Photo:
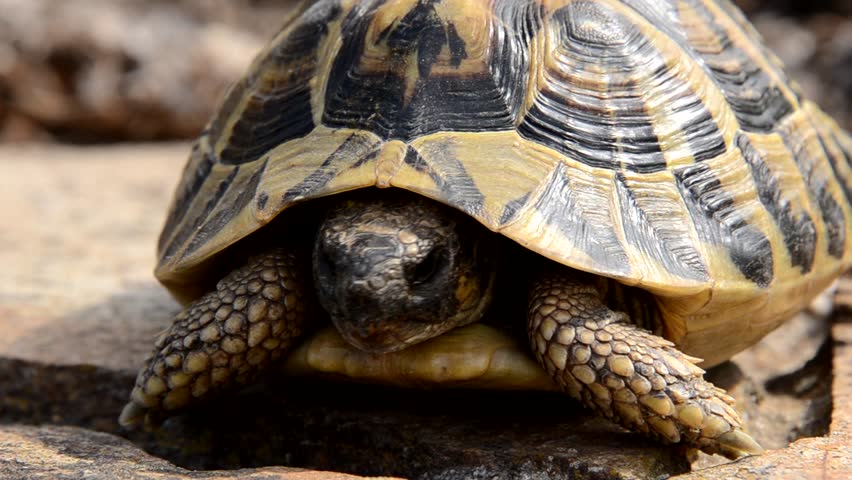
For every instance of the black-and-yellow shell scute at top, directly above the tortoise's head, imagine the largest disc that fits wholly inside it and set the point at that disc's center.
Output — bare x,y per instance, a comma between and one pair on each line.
404,73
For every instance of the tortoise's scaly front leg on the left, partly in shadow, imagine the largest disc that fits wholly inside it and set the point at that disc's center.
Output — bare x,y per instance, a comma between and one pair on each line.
224,339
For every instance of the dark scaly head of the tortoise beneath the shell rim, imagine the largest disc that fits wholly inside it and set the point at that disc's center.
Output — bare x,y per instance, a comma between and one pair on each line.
394,270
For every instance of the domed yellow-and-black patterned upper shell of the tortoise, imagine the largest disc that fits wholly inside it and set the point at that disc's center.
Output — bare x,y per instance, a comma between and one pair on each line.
655,142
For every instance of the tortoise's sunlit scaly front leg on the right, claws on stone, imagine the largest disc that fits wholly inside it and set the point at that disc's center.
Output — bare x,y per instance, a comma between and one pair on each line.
629,375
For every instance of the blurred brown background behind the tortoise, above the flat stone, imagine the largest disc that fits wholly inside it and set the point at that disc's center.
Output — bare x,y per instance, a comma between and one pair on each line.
102,71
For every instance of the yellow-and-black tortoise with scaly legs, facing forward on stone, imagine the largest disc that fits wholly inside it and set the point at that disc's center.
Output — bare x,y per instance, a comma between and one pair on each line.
640,177
